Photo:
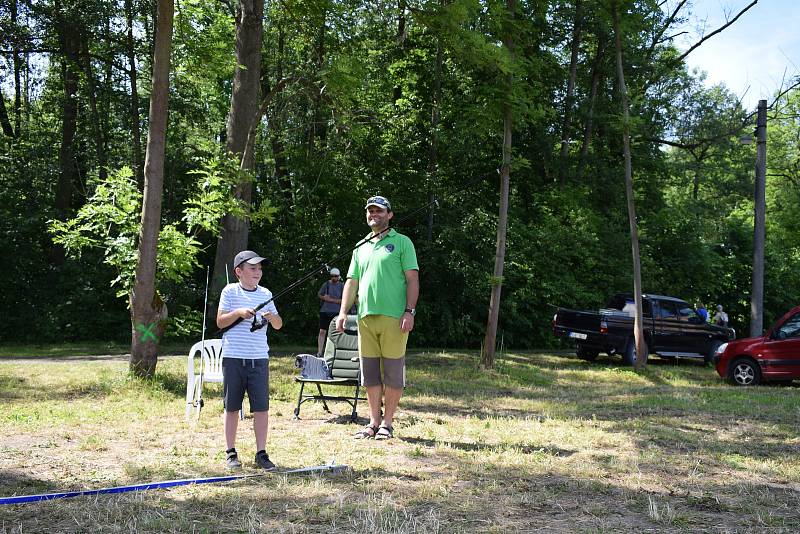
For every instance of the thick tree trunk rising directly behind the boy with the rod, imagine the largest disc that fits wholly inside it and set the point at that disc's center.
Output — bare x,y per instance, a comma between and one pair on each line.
244,107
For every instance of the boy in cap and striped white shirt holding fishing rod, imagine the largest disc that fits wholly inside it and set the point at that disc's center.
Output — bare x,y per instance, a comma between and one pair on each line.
245,354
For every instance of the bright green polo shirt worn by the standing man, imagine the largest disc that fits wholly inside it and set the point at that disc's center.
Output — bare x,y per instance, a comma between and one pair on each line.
380,270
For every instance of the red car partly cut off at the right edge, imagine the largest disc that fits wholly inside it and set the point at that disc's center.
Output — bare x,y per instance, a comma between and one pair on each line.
773,356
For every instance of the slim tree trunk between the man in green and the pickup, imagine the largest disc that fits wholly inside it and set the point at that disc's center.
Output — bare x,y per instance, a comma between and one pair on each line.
488,352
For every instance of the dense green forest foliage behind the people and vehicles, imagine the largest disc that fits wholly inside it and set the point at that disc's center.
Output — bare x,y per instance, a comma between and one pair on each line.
405,99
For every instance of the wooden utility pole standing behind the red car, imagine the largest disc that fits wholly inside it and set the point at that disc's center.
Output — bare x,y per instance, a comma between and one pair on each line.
757,295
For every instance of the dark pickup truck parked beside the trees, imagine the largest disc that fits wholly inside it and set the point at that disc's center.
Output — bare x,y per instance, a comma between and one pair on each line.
672,329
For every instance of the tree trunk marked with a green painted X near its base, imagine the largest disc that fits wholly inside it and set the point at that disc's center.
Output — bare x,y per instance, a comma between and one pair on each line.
147,309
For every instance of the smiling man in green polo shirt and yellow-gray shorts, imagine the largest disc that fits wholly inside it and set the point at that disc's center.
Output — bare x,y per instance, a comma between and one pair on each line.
385,276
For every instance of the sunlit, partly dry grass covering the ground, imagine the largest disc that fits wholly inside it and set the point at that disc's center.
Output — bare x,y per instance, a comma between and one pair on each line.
543,442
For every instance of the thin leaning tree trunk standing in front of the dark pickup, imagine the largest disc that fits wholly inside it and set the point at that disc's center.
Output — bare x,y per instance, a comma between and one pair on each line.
638,330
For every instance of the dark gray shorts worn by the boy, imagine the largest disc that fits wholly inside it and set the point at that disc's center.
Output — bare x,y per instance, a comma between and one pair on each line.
243,374
